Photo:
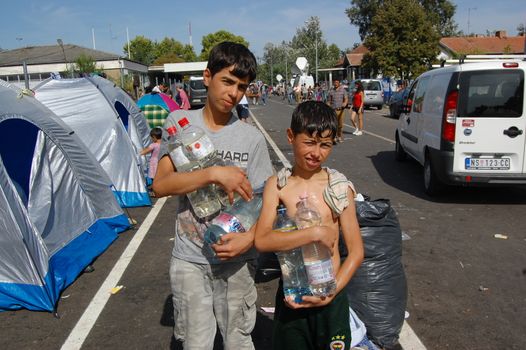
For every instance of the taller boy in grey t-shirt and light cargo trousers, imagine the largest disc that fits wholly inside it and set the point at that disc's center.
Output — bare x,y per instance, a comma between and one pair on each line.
213,285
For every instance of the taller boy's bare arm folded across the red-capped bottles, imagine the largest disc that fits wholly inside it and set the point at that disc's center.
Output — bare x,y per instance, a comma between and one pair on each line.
168,181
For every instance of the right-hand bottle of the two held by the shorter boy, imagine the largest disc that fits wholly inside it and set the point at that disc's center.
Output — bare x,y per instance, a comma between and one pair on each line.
316,256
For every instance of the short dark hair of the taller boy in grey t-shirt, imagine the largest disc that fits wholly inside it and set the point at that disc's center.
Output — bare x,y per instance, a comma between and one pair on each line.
228,54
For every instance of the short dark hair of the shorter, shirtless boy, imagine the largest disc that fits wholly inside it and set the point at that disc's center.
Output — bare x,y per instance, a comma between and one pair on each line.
314,117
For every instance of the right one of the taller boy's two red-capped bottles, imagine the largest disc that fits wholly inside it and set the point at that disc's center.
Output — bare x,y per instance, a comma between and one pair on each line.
199,148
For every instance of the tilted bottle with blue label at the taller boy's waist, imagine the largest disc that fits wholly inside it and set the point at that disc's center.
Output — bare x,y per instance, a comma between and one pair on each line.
240,217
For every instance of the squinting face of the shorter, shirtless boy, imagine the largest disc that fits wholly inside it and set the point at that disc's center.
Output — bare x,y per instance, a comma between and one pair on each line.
310,151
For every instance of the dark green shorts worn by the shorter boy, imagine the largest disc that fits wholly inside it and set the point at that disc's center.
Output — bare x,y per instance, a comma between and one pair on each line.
314,328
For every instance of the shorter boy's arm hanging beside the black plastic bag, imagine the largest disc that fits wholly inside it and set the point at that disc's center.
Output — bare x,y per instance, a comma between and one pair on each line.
353,241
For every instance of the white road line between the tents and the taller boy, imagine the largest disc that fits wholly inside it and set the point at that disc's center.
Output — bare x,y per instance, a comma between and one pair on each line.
84,325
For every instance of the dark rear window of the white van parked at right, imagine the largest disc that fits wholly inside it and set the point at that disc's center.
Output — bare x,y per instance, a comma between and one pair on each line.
494,93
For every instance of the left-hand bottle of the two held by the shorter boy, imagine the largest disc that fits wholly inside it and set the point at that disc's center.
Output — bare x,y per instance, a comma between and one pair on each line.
293,274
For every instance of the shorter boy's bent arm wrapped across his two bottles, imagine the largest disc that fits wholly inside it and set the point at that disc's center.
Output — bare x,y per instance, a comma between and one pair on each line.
267,240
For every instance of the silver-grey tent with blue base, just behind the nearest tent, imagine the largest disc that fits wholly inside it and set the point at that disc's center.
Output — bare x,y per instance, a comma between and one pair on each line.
85,109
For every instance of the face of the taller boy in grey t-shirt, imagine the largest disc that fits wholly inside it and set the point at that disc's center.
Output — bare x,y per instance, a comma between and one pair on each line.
225,90
